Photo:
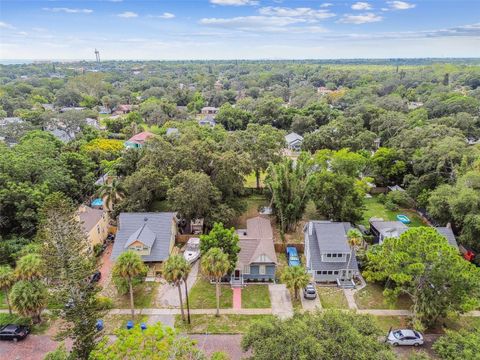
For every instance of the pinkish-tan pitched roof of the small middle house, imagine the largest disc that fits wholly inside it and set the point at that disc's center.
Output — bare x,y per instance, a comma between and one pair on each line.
256,241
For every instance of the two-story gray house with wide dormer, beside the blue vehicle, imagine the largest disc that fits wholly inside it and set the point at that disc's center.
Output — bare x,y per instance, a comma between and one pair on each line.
328,254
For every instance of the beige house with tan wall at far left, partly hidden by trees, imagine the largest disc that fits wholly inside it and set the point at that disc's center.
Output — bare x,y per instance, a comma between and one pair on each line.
95,223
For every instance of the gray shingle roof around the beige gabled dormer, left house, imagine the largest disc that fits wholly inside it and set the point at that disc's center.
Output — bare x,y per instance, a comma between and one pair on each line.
160,224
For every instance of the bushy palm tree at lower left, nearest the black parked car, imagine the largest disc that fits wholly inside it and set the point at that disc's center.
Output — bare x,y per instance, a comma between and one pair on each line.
29,298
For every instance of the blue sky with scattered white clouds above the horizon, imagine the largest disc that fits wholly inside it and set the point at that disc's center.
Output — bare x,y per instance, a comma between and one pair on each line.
238,29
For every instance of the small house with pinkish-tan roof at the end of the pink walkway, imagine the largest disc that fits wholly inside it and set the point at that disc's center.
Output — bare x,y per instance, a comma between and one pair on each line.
257,260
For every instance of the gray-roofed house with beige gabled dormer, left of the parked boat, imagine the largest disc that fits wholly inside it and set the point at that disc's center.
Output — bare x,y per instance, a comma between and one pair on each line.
151,235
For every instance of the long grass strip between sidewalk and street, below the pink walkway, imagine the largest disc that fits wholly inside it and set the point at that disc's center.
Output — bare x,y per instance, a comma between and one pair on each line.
224,324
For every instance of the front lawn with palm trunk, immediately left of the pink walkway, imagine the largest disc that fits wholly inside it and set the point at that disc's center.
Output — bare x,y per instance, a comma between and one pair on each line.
202,295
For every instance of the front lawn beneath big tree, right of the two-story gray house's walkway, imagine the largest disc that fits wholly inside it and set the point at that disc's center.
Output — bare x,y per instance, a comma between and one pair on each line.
371,297
